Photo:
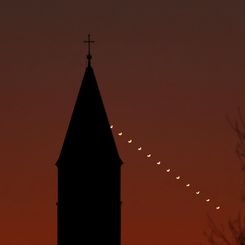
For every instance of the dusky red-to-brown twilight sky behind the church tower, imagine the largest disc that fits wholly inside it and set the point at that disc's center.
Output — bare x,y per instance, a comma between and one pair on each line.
169,73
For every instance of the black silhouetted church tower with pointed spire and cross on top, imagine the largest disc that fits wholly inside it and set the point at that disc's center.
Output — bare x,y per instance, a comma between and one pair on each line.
89,205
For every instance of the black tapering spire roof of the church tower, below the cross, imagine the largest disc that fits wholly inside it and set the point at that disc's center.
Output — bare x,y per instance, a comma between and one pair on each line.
89,130
